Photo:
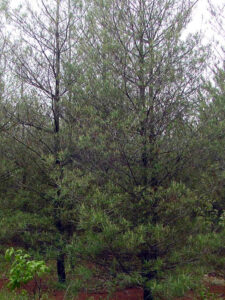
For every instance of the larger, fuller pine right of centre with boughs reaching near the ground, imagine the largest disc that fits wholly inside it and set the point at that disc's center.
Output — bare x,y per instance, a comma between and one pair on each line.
143,82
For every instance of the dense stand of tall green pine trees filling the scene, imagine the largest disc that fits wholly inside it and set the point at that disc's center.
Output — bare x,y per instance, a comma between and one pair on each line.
112,142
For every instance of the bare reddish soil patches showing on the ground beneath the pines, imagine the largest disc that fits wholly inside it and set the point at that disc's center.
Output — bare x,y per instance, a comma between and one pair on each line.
128,294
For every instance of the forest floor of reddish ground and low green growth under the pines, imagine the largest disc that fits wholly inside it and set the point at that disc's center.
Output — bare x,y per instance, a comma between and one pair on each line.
215,290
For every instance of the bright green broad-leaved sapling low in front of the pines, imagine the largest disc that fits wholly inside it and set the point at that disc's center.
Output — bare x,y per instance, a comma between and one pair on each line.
23,269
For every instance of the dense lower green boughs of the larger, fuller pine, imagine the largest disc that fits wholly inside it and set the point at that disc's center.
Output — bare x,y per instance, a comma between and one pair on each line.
166,231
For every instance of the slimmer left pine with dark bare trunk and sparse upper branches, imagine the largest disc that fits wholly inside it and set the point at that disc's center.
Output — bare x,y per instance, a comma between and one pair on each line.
40,61
